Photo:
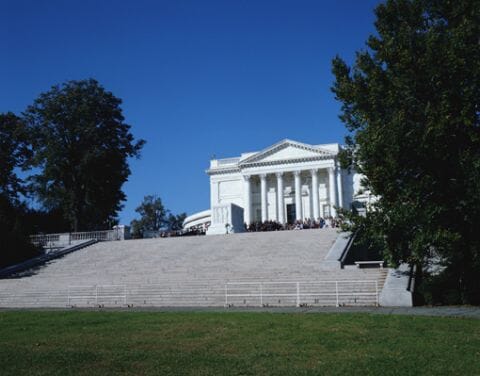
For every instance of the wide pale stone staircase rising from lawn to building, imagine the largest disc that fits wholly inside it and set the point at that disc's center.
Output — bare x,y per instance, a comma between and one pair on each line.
253,269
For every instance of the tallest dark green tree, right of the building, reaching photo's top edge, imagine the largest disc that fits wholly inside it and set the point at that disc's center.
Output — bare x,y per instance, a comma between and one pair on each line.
411,103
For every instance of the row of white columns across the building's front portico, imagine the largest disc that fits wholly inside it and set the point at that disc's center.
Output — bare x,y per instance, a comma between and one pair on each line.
334,180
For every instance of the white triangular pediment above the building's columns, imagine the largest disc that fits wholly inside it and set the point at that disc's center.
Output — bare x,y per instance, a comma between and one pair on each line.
288,150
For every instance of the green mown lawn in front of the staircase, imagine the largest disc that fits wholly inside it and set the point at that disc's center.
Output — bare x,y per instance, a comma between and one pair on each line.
137,343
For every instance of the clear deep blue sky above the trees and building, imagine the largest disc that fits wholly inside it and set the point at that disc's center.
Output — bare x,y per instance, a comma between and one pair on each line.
197,78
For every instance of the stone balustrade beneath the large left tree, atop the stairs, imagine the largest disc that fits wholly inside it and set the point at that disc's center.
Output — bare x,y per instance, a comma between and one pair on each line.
67,238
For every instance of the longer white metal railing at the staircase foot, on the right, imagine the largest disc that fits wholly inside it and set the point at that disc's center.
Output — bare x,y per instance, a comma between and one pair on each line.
302,293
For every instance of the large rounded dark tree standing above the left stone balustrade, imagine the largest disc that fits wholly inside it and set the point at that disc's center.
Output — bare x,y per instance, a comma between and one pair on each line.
82,146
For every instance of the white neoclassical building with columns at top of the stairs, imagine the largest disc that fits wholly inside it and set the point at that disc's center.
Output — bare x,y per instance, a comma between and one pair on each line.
285,182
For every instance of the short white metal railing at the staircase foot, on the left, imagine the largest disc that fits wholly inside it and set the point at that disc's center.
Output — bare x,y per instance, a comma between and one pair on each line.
97,295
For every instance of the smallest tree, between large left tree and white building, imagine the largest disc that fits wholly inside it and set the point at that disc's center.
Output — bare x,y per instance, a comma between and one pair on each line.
153,216
